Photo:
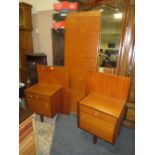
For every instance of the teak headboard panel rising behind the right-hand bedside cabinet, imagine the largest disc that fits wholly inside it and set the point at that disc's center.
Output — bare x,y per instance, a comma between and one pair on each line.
108,84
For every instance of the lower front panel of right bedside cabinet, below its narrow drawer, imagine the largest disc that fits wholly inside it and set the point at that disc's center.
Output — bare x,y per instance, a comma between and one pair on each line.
97,126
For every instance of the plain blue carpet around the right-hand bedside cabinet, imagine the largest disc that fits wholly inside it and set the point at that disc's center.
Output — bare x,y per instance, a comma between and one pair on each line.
70,140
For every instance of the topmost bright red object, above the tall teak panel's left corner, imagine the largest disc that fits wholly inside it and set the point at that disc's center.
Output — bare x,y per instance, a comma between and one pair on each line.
65,5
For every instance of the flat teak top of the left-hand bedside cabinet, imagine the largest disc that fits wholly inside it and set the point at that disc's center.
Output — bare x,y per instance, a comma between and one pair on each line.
44,89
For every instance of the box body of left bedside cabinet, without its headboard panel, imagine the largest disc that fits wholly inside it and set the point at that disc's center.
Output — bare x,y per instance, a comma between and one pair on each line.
44,99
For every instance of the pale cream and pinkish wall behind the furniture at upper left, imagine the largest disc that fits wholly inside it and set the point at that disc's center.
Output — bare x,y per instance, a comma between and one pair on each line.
42,23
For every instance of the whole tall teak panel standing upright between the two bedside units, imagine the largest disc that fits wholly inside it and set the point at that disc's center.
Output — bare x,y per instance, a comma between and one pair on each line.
82,31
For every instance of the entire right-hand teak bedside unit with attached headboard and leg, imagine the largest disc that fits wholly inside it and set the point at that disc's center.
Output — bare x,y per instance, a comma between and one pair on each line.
102,110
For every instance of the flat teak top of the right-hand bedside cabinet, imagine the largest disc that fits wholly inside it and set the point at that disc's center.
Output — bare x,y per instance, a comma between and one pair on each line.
104,104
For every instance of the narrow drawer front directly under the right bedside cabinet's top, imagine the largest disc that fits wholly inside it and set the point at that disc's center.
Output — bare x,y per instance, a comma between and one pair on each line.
98,114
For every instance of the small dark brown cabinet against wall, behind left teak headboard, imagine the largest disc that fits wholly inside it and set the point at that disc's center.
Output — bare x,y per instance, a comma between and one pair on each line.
33,59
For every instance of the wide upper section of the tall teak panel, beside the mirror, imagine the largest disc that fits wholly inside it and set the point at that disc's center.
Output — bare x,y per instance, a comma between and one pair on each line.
82,40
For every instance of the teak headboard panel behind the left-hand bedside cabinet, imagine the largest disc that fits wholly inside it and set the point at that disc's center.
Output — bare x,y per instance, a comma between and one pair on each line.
56,75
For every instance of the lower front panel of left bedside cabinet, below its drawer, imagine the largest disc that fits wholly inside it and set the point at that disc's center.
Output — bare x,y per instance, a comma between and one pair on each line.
39,106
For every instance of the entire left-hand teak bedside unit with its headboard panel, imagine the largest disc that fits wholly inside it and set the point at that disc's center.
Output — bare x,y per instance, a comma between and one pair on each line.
51,94
